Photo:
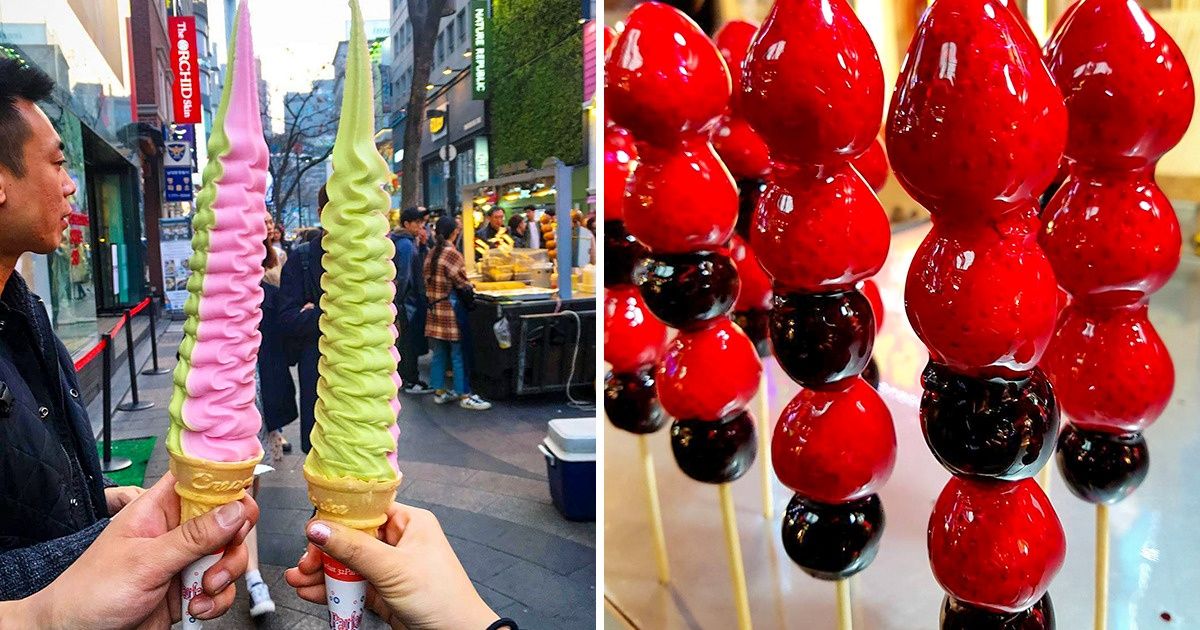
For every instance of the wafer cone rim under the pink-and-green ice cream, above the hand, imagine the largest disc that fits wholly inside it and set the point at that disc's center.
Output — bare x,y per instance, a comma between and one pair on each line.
203,485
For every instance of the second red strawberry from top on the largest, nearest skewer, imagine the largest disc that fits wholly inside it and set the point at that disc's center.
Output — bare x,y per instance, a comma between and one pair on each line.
985,302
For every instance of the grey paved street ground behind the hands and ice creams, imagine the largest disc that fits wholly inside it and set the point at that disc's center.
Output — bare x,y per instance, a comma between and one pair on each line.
479,472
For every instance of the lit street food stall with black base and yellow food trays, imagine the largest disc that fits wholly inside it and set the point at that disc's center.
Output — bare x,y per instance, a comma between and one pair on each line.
533,327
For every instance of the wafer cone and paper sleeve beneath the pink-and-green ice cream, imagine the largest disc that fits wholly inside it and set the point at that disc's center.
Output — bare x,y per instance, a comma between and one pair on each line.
203,487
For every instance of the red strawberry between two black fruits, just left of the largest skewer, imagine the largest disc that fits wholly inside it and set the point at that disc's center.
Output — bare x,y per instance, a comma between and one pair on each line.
835,446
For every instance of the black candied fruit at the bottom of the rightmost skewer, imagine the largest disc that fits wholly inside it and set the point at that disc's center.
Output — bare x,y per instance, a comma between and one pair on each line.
1102,467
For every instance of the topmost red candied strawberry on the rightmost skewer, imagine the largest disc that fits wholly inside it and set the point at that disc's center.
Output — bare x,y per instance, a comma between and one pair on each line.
1126,82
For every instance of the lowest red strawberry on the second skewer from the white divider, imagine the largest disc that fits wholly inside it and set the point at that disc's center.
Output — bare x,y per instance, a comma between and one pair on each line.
707,375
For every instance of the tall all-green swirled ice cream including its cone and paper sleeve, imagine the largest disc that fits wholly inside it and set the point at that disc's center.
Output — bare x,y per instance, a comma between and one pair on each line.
352,469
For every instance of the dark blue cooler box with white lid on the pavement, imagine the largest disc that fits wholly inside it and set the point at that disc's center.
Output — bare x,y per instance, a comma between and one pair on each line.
571,452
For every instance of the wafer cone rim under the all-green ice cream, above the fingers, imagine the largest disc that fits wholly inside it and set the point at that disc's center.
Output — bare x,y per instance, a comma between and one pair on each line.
357,503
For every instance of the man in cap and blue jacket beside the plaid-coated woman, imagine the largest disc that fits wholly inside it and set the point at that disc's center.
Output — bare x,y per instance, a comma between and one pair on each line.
411,296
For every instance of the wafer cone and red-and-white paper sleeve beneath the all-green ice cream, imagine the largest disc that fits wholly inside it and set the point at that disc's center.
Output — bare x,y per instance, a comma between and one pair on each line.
359,505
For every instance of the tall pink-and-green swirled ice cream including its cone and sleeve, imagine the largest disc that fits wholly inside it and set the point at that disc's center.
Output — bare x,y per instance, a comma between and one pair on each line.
214,422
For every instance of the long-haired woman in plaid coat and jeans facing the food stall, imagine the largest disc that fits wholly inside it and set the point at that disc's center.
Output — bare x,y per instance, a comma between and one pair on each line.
445,273
